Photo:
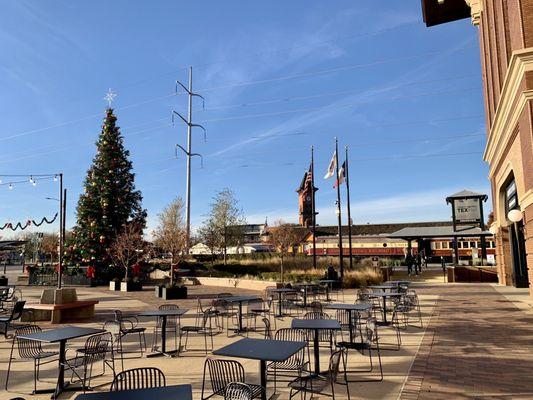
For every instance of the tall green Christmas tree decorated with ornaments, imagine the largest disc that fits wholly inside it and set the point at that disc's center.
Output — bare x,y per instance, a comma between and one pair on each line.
109,202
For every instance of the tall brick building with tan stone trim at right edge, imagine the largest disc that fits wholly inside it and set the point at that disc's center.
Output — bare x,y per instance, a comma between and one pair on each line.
506,46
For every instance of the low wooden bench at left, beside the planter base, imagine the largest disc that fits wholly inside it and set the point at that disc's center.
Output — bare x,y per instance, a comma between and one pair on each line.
57,313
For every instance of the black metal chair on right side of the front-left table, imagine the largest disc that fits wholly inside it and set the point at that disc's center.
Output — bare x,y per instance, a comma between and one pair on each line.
98,348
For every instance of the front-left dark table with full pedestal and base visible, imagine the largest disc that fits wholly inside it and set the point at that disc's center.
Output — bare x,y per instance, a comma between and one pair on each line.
61,336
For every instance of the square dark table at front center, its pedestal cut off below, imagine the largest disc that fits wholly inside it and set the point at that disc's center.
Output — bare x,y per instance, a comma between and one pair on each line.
263,350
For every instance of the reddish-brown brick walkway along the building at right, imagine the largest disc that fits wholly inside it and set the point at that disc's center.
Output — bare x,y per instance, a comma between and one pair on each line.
478,345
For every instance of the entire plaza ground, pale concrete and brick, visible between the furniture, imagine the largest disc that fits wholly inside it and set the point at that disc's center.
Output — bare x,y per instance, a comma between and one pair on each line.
476,343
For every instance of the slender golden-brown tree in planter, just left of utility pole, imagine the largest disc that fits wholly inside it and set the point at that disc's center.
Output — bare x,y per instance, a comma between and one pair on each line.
170,235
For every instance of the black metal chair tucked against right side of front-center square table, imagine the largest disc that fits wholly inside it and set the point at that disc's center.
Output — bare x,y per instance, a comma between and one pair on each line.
296,364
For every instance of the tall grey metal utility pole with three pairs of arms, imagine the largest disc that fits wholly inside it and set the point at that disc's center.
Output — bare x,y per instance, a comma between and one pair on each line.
188,152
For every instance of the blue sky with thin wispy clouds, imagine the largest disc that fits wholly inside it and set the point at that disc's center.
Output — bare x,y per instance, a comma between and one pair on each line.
277,76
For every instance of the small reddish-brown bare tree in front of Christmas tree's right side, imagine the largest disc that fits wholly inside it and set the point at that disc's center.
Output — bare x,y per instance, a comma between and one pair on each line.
127,248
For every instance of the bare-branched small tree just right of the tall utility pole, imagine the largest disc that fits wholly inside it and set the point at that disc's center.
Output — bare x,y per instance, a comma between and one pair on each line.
226,221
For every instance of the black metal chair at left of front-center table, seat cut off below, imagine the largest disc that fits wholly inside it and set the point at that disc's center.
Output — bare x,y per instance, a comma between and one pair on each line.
221,374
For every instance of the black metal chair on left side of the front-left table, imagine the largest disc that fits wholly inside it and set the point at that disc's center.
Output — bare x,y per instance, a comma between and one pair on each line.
29,350
